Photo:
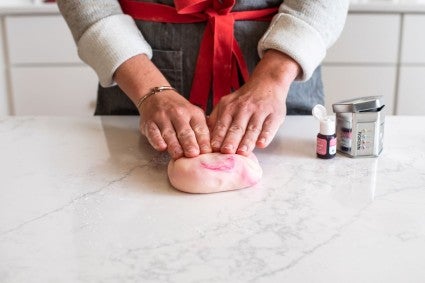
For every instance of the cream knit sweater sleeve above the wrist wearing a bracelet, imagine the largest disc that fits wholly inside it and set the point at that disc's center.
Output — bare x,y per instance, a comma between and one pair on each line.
105,37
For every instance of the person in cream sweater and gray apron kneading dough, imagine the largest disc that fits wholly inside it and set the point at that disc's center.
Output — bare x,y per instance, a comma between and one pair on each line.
199,49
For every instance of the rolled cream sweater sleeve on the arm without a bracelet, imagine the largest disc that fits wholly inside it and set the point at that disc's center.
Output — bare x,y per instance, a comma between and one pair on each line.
304,29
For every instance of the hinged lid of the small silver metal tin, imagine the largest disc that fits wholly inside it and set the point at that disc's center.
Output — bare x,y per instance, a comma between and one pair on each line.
360,104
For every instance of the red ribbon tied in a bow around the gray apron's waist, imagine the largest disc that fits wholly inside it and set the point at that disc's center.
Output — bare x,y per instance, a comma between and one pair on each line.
220,59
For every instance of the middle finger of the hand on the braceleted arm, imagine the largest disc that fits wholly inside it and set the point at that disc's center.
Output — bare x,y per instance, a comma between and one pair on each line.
186,138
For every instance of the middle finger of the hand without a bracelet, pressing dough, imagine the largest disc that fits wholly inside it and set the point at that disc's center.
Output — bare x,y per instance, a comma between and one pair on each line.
235,133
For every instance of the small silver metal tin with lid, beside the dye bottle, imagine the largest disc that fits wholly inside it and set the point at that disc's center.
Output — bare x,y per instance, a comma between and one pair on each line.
360,126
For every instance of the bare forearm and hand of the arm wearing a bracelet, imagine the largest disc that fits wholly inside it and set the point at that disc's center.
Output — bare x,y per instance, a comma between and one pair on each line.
167,119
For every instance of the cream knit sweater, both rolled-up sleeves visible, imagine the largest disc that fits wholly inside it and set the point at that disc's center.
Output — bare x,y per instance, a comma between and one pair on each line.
106,37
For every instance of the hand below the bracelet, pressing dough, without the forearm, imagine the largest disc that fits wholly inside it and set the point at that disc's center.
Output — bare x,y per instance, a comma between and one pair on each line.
172,123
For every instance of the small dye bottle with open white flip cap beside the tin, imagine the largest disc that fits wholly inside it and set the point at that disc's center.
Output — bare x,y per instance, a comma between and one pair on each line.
326,139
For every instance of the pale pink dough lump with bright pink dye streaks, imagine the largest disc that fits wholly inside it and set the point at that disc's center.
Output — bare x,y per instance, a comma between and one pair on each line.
214,172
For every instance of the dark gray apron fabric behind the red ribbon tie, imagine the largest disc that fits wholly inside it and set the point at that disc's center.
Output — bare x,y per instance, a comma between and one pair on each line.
175,50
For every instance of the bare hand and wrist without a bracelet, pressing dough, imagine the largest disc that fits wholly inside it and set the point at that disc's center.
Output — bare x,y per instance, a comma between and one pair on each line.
251,116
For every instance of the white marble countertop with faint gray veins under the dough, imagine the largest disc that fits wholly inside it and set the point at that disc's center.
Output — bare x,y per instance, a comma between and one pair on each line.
87,200
